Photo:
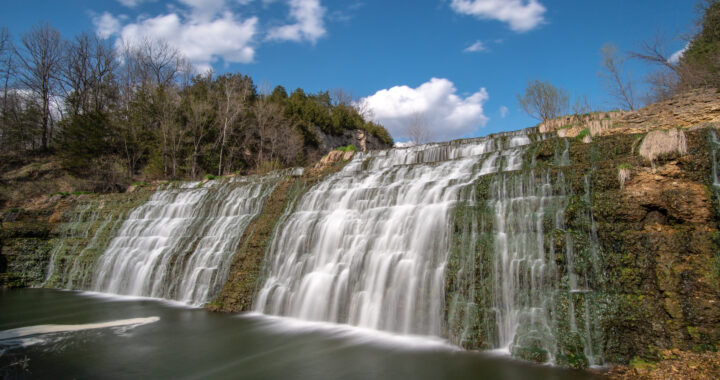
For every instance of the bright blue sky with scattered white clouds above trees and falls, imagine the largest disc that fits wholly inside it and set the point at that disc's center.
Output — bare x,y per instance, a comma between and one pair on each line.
458,63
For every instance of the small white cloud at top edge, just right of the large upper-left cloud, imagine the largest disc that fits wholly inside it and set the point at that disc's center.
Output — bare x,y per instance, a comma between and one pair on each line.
309,24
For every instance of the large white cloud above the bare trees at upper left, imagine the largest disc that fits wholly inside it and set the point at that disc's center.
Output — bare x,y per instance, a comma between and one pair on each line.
203,42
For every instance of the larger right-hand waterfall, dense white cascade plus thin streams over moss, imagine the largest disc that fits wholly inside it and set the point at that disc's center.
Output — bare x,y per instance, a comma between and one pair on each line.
466,240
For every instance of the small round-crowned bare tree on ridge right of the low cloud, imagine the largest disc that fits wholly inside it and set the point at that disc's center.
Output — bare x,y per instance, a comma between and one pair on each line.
543,101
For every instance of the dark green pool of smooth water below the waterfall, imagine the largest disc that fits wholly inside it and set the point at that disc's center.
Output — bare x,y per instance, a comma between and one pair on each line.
195,344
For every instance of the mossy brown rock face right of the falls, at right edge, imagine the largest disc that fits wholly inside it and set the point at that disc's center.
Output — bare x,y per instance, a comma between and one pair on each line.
659,239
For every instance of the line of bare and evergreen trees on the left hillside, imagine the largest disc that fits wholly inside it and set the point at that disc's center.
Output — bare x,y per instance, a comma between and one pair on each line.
116,111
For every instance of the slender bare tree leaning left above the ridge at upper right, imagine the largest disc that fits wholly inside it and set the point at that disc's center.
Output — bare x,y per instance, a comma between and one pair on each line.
615,81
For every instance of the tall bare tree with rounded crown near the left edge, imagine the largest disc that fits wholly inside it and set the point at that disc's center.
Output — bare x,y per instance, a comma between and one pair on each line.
41,59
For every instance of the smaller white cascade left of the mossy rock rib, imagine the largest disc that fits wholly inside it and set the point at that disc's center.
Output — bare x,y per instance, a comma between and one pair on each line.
178,245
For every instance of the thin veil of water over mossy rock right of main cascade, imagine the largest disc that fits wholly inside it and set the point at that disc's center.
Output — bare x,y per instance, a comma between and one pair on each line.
523,270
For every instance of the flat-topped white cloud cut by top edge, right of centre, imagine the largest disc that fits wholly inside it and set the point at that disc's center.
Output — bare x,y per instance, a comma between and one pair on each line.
521,15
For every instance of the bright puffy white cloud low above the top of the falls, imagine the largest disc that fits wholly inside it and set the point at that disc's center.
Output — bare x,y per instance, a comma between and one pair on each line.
447,114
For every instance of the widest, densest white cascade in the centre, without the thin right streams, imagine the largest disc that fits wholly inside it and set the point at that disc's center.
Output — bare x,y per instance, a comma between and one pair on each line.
368,246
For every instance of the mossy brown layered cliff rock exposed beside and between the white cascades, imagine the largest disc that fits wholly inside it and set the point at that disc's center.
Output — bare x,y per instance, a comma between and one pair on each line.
633,243
